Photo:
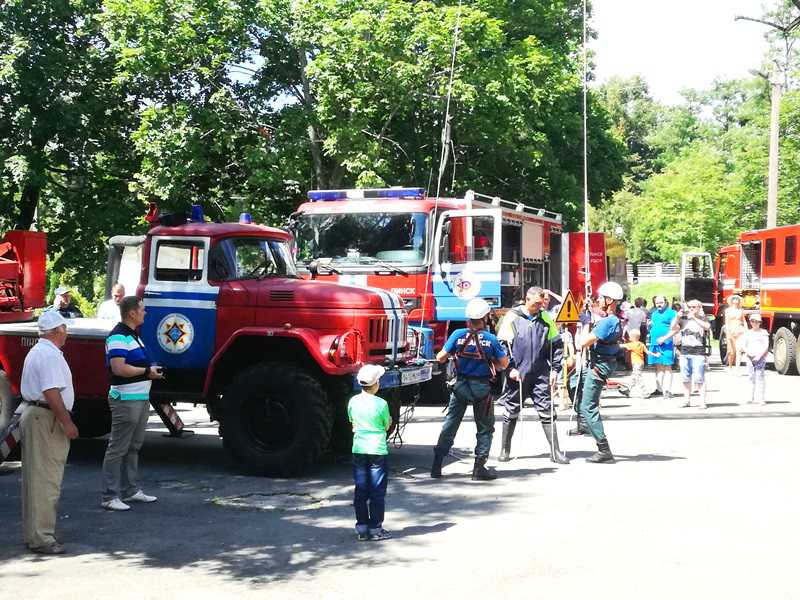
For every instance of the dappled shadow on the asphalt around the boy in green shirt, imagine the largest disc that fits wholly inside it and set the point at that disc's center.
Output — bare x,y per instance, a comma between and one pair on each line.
188,527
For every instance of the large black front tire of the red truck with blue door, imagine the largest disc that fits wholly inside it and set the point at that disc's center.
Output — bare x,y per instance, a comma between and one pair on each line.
277,420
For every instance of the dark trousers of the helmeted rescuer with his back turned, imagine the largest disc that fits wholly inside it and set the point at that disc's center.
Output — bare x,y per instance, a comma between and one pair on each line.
478,393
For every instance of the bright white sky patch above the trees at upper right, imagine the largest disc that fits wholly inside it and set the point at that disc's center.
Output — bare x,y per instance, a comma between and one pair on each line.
677,44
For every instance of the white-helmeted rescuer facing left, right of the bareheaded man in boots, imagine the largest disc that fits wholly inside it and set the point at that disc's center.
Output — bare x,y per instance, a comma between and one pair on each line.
603,342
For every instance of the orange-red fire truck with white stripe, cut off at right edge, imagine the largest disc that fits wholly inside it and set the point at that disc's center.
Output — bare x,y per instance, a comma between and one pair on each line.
762,267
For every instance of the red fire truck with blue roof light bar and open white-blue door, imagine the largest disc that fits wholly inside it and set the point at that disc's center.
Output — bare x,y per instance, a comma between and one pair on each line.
438,253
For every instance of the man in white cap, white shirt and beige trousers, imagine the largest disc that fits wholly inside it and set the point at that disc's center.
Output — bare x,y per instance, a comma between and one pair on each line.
47,429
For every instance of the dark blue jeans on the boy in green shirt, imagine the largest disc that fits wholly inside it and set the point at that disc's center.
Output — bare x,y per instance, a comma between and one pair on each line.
370,473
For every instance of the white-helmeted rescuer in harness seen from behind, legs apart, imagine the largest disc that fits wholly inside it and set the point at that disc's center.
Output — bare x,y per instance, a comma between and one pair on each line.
478,354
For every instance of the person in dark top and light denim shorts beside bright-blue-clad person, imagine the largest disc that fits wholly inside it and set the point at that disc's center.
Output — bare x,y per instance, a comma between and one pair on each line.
693,327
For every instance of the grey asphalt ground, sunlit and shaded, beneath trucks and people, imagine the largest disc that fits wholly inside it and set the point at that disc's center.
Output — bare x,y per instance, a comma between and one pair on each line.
699,504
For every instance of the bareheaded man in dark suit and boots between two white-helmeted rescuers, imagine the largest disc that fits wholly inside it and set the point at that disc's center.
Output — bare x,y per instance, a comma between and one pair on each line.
536,356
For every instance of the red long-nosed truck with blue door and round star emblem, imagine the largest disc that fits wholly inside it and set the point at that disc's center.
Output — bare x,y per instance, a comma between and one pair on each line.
271,355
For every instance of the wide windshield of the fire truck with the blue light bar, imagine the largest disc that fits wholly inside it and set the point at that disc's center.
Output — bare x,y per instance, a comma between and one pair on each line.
362,238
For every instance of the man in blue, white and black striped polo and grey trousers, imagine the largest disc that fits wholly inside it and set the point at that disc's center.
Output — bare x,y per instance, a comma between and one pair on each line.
131,372
